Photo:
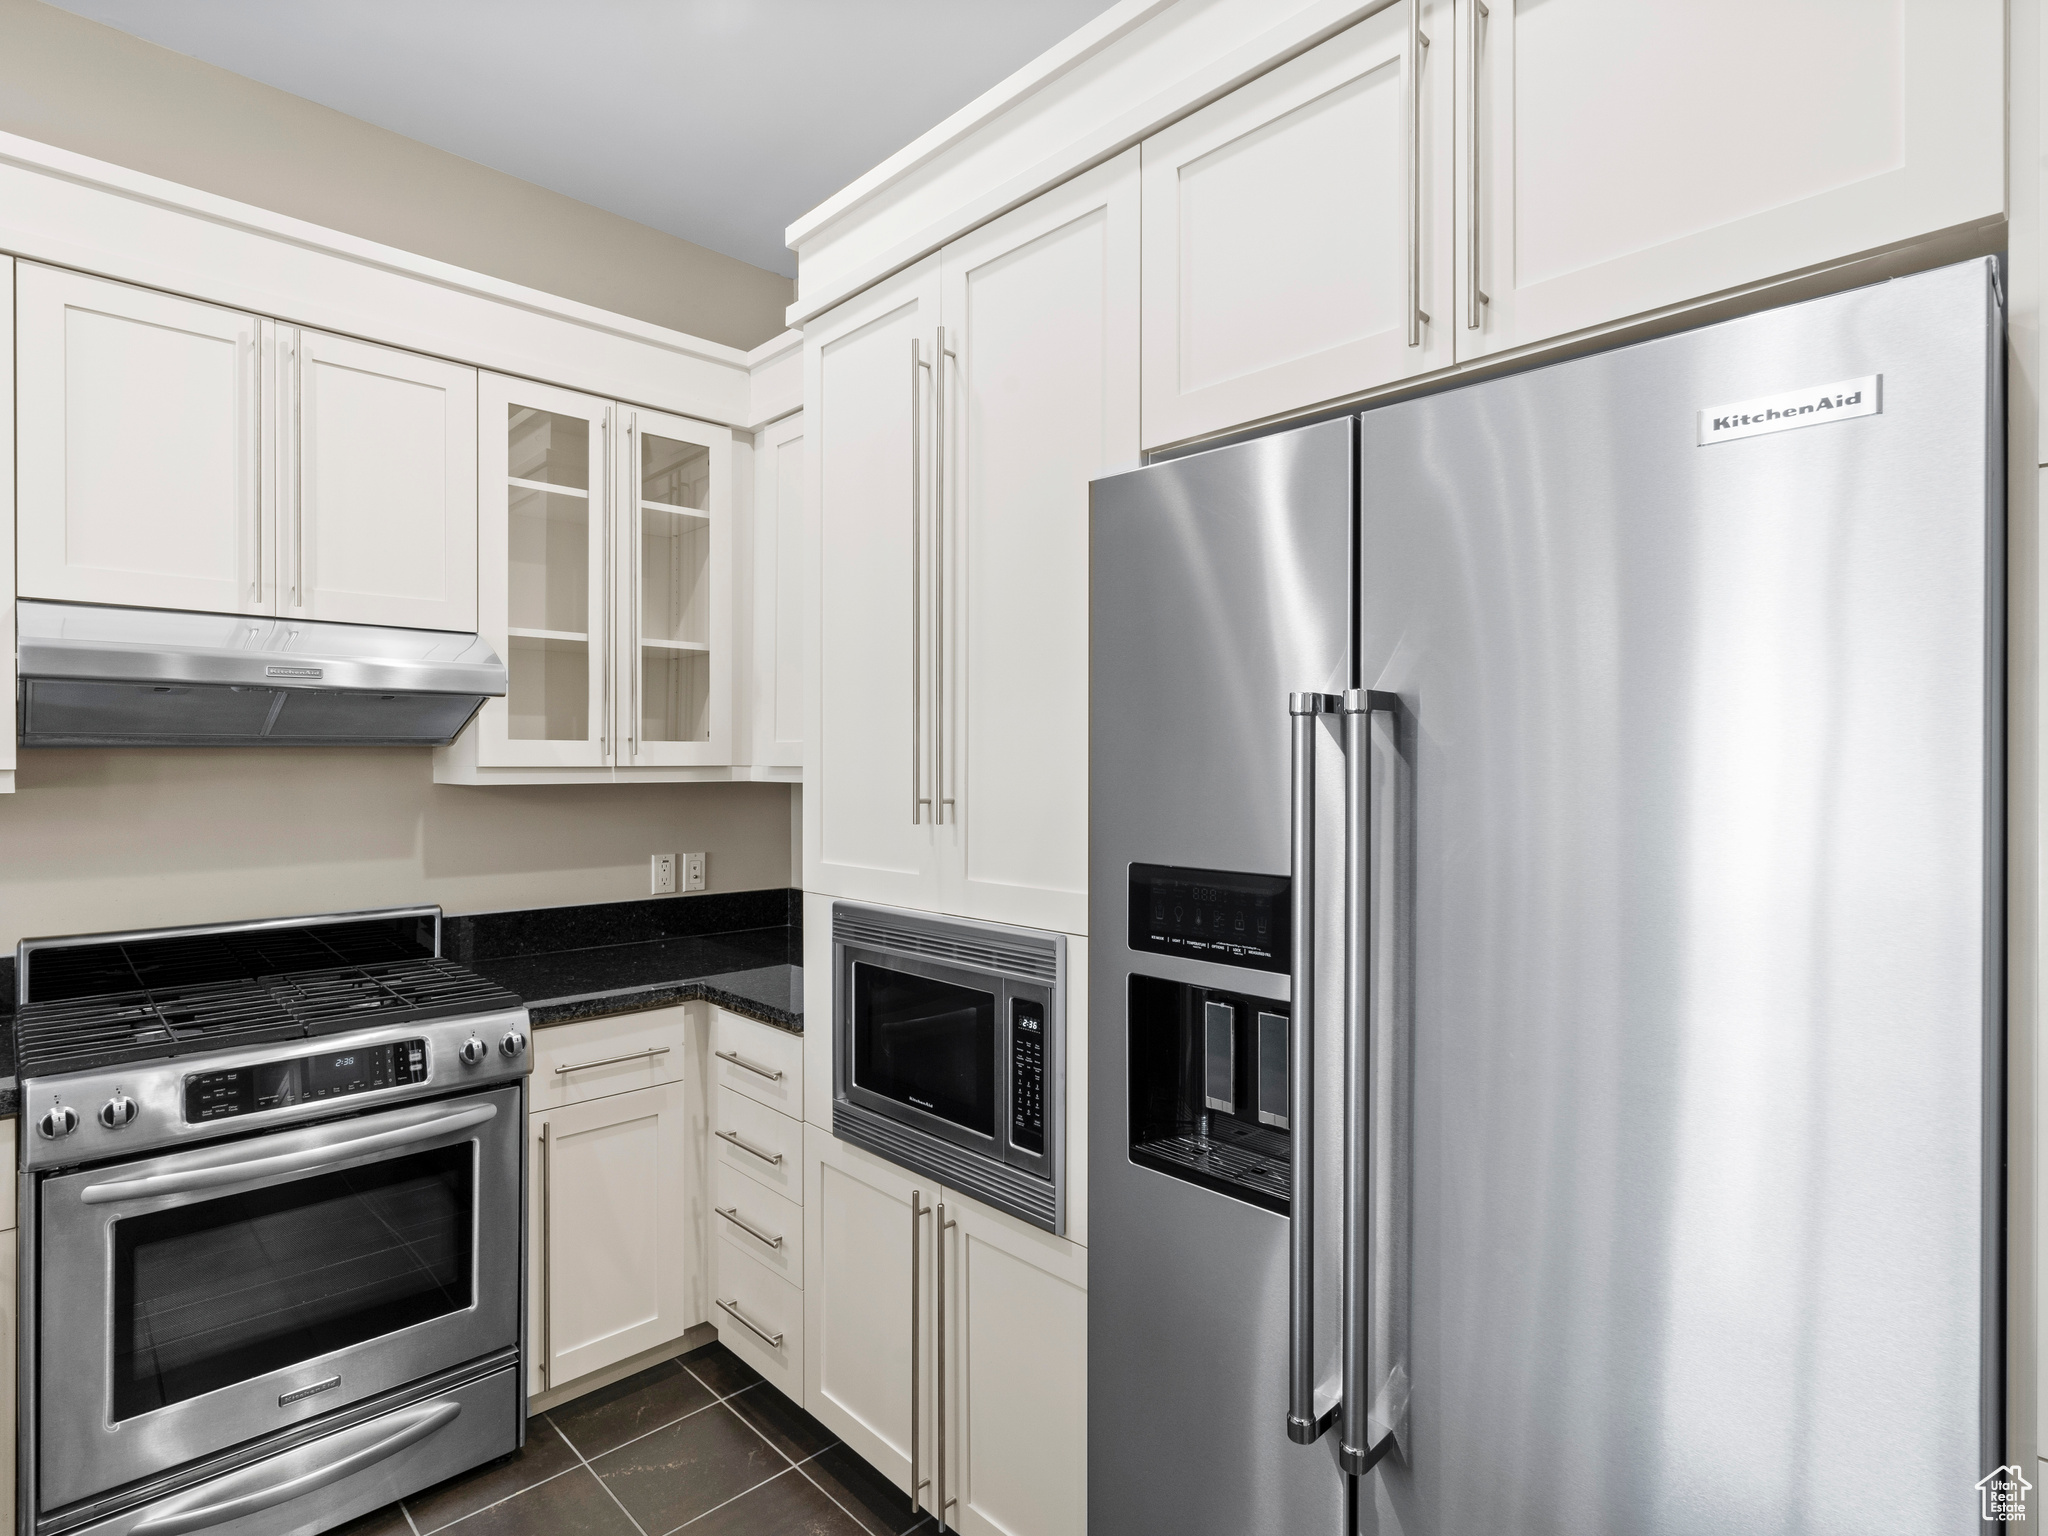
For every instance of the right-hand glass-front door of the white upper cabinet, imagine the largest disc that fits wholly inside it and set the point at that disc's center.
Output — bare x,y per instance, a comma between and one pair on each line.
675,605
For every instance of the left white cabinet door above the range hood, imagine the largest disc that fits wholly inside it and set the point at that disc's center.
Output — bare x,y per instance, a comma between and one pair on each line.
140,425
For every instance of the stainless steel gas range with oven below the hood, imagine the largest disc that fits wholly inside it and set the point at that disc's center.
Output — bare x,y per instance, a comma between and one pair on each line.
273,1199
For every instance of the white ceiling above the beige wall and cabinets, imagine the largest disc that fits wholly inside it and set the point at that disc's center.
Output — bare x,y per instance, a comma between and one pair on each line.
720,122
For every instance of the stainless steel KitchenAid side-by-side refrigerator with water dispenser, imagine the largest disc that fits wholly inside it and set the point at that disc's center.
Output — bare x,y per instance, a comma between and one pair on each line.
1545,1009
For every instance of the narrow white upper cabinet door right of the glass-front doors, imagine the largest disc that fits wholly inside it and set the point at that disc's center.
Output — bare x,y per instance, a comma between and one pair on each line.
777,673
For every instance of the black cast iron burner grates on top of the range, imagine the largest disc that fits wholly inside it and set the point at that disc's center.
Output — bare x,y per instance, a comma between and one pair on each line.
175,1021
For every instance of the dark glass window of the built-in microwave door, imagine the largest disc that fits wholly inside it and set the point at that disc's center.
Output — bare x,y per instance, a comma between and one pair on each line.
927,1043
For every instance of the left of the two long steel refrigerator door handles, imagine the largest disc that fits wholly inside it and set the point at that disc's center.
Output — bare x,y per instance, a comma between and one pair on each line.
1304,1426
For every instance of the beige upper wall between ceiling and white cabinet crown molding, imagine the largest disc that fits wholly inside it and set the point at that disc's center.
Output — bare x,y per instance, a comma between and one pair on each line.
91,89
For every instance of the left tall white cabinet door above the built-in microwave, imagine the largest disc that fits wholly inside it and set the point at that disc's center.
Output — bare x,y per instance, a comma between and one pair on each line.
869,755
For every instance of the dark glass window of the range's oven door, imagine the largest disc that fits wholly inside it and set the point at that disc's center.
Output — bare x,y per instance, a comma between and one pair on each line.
222,1291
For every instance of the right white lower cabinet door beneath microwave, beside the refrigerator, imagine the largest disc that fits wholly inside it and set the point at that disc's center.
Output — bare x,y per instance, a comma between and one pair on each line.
1017,1375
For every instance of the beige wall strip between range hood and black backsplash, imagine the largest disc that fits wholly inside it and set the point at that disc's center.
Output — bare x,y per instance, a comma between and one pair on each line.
105,841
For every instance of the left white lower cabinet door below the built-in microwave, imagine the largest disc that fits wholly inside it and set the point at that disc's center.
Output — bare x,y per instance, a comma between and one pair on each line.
857,1306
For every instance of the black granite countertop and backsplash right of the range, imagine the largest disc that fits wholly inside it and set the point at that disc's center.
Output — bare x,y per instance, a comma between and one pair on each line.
738,951
